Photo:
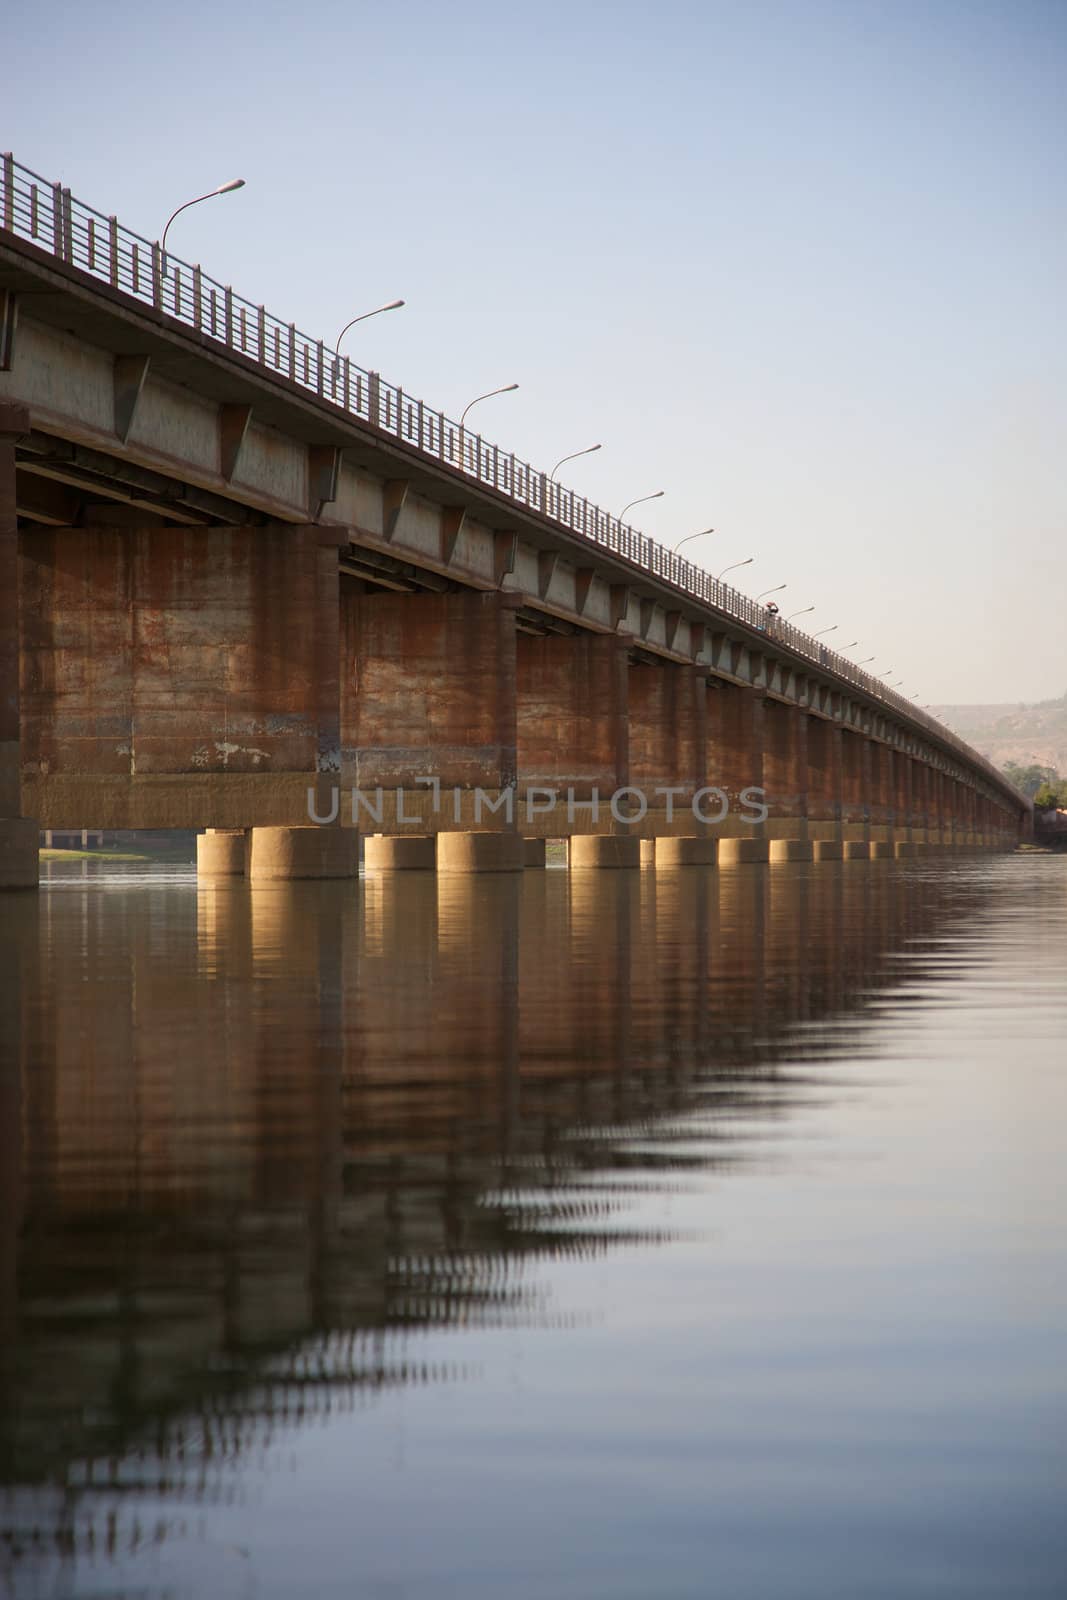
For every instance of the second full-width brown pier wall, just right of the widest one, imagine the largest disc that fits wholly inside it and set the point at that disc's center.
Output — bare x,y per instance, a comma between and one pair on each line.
430,694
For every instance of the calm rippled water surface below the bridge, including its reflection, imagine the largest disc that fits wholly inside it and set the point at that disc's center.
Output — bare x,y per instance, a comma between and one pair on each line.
637,1236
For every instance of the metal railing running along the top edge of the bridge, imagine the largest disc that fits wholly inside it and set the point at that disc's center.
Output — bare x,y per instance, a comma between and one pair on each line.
47,215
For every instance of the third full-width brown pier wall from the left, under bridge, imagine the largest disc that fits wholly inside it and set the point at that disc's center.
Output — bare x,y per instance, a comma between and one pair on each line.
572,732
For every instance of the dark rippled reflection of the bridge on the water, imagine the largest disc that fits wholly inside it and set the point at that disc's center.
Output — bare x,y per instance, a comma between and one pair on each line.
266,1151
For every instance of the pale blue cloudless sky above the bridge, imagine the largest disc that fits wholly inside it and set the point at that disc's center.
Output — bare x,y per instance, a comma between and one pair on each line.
799,265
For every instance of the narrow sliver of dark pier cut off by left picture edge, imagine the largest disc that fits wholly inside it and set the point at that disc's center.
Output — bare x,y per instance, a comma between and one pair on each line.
18,834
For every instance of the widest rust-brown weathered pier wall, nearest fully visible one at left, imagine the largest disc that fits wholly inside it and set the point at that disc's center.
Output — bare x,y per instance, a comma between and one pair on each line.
178,678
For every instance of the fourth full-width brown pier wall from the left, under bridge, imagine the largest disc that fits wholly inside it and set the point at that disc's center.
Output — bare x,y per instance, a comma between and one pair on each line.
669,724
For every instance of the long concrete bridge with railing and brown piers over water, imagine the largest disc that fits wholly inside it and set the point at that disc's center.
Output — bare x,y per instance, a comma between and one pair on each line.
242,578
